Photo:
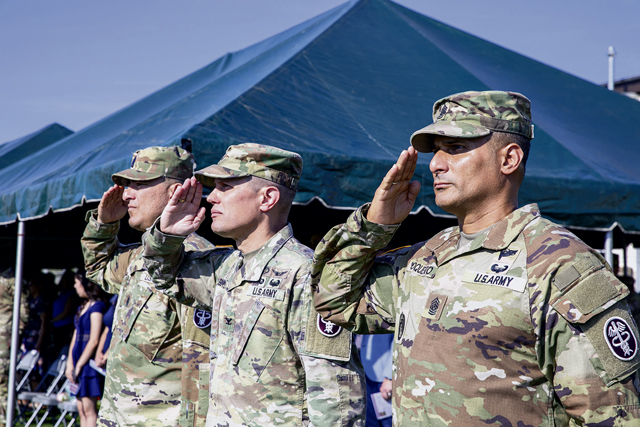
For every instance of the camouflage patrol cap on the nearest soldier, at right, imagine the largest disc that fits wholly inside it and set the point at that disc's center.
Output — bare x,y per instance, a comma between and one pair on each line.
475,114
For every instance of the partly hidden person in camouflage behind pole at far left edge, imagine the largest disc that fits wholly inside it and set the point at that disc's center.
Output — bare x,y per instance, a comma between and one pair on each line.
7,292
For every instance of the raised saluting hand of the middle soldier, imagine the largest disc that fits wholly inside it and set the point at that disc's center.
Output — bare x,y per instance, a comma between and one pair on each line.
183,214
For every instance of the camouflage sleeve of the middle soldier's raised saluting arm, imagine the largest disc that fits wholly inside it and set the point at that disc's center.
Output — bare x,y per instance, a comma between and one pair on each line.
163,257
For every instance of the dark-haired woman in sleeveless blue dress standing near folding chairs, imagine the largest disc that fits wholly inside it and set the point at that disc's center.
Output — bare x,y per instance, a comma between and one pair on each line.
88,326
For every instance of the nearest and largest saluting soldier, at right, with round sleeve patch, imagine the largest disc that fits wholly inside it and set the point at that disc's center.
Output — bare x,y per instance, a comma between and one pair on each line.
507,319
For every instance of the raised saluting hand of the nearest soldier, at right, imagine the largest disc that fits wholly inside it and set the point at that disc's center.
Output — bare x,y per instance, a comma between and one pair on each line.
396,194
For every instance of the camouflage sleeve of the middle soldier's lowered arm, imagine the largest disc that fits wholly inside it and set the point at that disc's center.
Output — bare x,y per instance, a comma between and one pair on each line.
334,379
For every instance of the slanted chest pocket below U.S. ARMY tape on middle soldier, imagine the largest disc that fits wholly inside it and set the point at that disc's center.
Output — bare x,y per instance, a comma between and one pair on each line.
259,338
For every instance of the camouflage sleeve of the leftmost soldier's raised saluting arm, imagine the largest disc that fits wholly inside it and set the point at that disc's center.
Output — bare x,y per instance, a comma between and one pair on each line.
105,260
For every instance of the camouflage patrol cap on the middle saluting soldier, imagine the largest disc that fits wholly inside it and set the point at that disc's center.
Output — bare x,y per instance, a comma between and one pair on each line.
262,161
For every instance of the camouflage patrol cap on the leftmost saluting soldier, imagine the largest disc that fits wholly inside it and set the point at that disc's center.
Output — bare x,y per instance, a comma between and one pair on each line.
156,162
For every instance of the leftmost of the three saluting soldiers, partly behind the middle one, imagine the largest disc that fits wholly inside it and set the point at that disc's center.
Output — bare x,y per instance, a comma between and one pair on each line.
158,345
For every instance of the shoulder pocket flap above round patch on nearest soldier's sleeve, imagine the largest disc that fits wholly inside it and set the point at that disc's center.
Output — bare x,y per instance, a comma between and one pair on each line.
587,295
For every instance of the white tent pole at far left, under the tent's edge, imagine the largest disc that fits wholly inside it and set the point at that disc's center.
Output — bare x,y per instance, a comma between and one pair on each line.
11,401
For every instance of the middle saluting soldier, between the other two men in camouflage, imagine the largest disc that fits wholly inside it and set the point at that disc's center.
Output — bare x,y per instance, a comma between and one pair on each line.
274,361
